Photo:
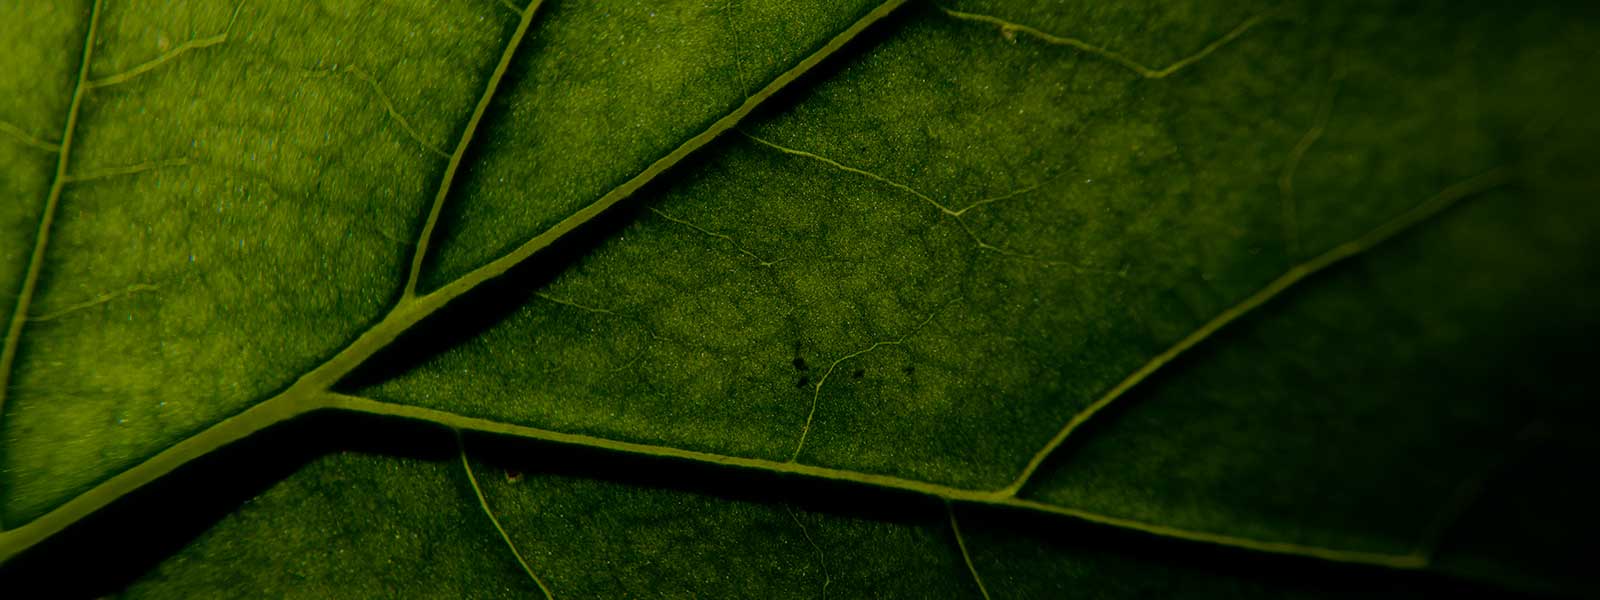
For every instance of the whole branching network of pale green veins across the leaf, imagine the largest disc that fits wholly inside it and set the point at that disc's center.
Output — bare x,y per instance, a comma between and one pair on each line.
311,393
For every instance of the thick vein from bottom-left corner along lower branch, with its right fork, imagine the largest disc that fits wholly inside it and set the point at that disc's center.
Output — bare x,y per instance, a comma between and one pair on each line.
303,399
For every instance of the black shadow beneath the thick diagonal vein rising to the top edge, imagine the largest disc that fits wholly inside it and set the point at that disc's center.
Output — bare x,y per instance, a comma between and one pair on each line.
495,300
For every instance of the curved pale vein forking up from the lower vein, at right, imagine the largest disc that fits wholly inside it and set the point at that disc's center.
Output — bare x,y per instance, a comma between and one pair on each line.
1274,289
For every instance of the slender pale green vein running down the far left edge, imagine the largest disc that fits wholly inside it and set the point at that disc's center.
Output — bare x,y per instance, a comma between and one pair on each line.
49,212
